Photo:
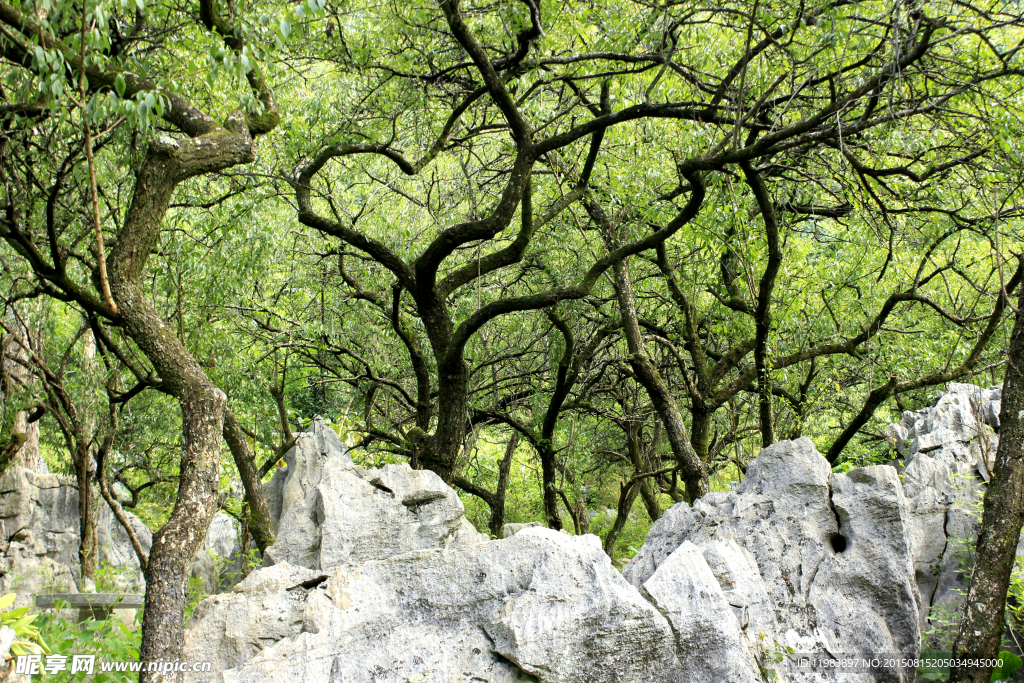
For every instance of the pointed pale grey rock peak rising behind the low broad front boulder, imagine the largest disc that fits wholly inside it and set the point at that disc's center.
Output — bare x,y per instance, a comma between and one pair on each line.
331,513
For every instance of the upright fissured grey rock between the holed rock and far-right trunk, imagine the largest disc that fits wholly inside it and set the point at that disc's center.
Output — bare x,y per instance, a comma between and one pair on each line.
949,451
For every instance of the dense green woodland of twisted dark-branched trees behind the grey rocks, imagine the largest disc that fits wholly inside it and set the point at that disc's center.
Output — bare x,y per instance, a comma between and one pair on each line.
582,260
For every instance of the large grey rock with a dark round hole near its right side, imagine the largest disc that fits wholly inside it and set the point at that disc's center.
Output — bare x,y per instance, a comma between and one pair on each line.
816,562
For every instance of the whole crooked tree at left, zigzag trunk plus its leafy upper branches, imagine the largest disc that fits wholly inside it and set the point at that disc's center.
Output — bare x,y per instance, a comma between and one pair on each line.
114,289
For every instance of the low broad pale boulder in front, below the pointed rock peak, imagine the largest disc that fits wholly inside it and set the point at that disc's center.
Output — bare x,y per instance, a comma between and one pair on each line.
539,606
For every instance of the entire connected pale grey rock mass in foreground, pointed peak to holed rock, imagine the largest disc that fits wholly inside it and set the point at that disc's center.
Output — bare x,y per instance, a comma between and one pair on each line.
380,580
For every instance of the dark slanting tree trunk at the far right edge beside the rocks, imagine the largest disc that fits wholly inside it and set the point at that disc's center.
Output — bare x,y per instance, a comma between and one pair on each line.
982,628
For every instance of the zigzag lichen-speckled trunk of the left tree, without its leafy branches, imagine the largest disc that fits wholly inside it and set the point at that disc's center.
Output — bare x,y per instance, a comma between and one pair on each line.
169,163
